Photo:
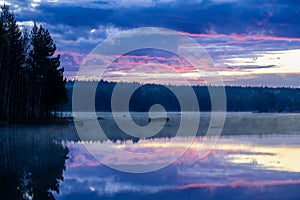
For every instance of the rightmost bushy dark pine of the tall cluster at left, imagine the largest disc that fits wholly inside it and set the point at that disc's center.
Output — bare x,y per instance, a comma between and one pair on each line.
49,82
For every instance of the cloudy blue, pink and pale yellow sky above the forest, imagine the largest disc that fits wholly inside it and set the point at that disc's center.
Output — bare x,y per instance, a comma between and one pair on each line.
251,42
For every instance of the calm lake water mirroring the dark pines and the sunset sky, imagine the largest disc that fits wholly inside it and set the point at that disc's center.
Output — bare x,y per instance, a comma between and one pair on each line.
51,162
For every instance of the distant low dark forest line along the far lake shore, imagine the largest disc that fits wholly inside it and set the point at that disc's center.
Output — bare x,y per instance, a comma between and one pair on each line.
239,99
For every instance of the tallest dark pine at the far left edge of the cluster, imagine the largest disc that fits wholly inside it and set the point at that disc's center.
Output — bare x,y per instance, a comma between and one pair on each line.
11,64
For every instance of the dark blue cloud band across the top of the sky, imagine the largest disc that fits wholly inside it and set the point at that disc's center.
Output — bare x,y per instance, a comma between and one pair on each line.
242,17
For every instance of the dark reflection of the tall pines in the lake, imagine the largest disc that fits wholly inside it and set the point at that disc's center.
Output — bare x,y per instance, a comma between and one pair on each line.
32,163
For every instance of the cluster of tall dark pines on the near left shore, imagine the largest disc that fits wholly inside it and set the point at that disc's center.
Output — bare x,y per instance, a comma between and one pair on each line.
31,79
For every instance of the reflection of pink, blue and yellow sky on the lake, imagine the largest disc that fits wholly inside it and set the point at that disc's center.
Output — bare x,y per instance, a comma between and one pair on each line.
239,167
